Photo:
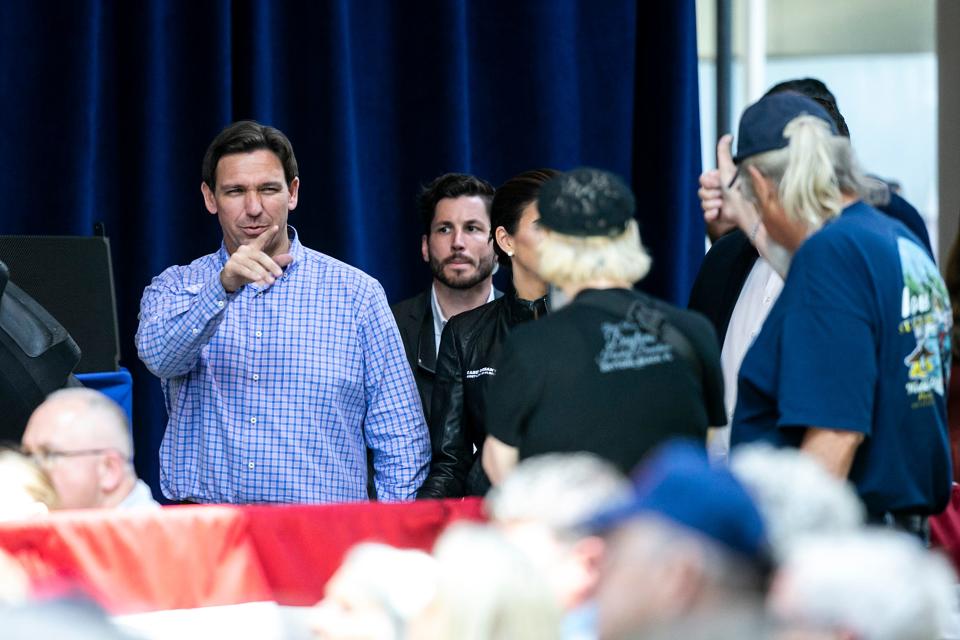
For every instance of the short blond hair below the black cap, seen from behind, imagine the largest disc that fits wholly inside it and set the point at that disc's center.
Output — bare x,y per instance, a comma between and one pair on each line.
572,260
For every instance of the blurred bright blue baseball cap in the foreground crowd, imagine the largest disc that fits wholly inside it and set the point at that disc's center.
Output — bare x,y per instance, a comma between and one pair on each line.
678,484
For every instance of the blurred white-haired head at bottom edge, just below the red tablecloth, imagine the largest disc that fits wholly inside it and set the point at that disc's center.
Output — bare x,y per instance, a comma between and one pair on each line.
375,594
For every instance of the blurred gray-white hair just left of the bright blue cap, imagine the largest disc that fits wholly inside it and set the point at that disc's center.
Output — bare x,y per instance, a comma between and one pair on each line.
557,490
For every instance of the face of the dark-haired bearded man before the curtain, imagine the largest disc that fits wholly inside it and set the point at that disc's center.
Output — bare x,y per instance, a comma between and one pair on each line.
459,248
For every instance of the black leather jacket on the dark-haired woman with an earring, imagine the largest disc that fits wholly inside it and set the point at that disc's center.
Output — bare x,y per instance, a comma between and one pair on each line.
469,350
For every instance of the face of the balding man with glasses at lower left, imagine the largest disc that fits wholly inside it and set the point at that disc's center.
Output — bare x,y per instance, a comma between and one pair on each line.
75,477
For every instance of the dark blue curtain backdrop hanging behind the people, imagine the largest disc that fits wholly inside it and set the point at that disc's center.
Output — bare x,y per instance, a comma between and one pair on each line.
108,107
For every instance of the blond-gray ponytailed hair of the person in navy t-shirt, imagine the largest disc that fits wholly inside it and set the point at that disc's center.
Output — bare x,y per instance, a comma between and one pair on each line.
811,173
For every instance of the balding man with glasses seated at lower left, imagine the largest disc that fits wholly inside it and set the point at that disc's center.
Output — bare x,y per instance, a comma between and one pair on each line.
81,439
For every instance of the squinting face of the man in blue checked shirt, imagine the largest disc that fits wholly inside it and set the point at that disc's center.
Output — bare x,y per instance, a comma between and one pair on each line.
252,196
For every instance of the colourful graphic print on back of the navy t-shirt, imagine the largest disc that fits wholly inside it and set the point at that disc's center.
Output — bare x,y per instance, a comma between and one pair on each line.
924,311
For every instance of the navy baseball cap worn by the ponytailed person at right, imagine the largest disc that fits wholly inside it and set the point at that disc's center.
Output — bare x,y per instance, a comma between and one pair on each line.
762,124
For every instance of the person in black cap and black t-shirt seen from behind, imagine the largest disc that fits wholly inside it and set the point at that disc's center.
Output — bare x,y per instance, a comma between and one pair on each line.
614,372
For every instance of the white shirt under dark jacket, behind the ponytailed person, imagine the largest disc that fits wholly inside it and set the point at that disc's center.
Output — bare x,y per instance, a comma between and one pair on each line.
760,290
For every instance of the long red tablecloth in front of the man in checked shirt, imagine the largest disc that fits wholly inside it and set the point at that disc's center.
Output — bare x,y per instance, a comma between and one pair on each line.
181,557
